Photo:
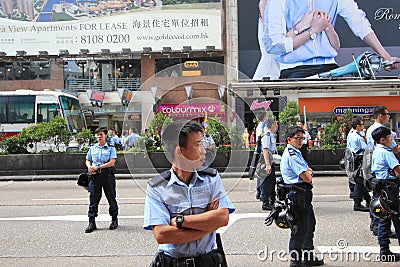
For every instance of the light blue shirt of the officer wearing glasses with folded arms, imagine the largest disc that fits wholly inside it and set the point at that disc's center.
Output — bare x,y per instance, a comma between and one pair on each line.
292,165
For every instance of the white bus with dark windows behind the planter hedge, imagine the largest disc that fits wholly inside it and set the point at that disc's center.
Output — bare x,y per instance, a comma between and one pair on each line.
22,108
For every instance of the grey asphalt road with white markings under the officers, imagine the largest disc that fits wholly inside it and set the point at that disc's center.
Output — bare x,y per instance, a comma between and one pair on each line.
42,224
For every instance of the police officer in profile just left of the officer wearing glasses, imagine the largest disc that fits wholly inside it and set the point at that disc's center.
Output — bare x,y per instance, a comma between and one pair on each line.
268,142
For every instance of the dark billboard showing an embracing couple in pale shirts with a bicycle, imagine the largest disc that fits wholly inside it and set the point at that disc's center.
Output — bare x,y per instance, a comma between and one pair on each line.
268,41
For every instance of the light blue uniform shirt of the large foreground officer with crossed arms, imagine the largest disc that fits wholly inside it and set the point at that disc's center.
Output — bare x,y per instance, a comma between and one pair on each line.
170,198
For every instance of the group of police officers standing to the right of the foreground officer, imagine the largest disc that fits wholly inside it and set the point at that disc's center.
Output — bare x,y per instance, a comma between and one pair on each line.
297,179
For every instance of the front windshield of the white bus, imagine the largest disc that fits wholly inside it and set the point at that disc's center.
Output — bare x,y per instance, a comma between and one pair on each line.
72,114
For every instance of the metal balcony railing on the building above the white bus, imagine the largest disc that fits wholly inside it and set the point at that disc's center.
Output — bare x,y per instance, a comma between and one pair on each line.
81,85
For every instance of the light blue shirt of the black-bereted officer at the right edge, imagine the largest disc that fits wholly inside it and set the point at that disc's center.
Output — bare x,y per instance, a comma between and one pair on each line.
383,159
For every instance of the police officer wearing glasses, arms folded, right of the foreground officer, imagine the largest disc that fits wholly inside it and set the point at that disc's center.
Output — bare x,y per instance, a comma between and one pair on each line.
297,177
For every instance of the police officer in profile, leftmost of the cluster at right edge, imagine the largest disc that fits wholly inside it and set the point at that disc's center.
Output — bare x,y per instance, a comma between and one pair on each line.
356,143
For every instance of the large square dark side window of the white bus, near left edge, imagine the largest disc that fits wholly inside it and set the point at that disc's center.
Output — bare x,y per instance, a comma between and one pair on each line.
21,109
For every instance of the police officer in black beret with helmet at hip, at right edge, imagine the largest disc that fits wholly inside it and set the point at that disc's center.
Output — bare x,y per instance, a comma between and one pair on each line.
383,160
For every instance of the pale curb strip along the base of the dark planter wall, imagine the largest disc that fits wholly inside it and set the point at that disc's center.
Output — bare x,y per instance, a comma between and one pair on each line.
145,176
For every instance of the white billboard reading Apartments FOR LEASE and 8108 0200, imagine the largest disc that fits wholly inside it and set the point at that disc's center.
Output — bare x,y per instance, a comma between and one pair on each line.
54,25
